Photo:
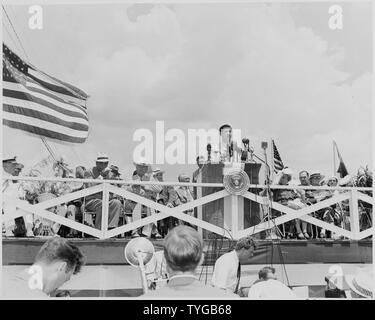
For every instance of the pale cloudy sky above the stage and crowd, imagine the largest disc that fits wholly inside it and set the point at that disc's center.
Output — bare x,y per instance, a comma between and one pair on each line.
272,70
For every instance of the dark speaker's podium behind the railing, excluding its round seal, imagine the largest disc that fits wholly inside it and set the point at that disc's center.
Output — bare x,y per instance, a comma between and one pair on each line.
219,212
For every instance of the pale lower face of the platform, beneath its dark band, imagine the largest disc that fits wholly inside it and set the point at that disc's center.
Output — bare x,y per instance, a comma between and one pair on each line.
125,281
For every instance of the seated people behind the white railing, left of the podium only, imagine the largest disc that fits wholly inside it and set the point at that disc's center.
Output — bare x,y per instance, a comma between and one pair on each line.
88,210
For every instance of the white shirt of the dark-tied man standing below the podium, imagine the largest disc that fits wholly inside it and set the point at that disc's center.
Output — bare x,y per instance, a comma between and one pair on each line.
225,271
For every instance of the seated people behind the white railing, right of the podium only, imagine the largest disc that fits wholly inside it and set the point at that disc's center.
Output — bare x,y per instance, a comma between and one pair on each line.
336,214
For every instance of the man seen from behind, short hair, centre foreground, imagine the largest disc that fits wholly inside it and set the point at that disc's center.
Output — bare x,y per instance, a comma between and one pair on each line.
183,251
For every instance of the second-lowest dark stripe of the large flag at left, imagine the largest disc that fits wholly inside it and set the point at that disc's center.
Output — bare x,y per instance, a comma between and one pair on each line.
44,116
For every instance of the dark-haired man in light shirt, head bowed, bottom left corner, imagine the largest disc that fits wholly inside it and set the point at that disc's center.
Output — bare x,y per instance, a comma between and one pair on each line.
57,260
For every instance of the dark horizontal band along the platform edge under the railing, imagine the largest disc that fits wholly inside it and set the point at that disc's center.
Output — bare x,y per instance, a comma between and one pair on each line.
21,251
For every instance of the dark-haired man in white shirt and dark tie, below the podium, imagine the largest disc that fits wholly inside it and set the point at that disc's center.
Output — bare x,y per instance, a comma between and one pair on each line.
227,270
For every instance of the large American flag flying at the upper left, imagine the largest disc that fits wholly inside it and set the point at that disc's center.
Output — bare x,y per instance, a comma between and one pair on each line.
40,104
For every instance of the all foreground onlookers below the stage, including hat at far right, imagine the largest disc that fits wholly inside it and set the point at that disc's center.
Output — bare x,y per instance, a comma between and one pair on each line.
177,264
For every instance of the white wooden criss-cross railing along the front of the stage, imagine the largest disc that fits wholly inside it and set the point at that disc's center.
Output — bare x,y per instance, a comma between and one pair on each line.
233,208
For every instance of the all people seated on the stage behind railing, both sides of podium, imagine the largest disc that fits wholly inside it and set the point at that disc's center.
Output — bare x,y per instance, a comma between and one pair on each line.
88,209
